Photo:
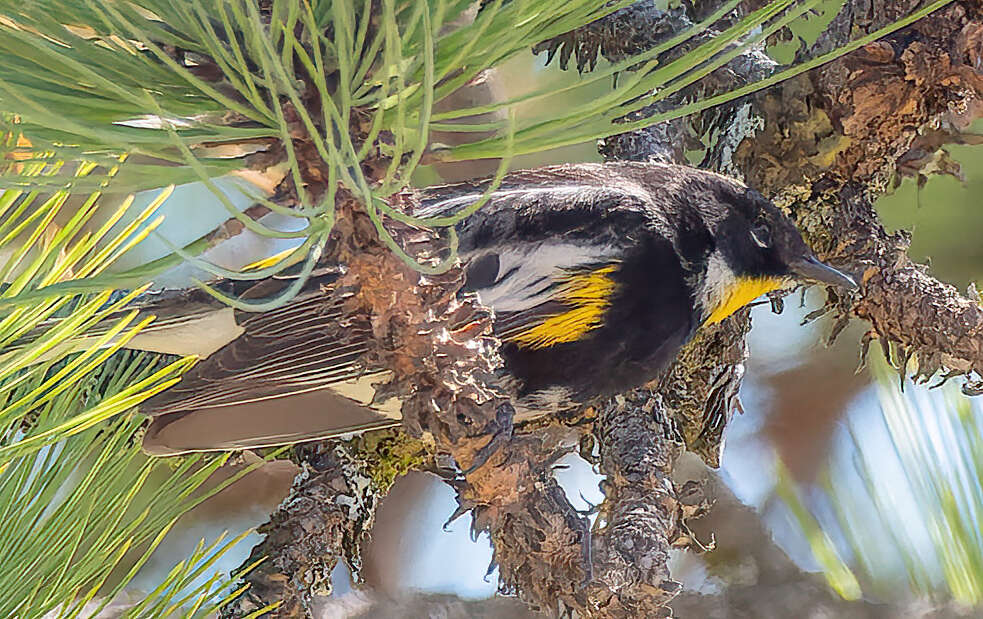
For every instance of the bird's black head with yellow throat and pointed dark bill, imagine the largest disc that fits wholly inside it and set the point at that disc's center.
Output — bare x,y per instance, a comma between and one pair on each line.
757,249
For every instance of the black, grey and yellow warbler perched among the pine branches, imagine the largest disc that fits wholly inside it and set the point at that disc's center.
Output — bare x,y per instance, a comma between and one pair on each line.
597,274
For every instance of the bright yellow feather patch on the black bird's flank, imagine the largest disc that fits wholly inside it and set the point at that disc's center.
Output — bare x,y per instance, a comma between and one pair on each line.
588,295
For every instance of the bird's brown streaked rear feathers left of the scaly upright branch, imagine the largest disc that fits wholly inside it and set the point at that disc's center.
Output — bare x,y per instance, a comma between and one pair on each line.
296,373
